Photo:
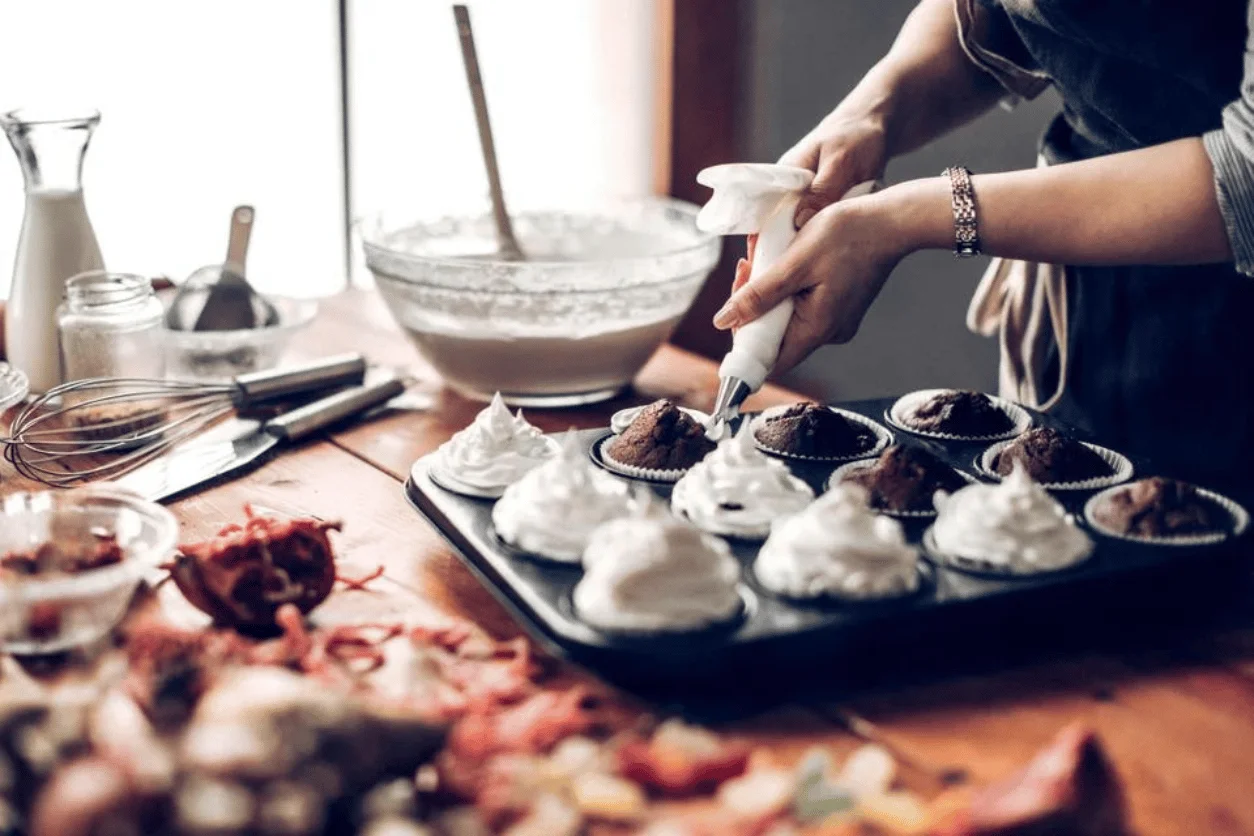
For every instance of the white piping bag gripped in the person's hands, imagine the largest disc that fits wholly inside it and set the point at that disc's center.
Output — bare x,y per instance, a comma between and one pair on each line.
757,345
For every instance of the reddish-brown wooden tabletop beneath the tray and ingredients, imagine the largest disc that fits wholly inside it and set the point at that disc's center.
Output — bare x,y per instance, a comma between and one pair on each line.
1178,721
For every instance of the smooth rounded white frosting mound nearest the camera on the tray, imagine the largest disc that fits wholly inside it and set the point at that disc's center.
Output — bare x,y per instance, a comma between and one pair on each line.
655,572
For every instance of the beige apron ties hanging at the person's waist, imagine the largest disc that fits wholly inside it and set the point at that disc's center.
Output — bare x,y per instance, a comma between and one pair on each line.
1025,306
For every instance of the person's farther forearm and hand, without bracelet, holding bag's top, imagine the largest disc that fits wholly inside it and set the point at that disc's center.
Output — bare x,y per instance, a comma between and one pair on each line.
925,87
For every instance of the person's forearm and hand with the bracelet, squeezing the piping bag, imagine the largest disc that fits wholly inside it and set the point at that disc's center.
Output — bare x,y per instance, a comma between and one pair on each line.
1151,206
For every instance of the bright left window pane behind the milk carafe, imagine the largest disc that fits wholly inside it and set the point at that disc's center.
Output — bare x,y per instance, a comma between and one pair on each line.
205,105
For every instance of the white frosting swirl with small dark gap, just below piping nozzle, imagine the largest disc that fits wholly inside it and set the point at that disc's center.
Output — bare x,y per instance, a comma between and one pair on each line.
738,491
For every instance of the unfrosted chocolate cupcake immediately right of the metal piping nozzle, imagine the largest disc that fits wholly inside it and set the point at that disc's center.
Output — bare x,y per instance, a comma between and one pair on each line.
814,432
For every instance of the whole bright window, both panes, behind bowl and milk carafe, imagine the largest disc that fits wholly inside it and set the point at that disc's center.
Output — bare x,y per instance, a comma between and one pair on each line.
208,105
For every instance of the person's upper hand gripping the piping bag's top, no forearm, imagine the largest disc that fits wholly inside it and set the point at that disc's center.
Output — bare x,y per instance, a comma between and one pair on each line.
843,152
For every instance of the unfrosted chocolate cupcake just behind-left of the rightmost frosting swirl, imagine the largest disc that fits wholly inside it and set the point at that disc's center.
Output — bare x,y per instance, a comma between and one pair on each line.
904,481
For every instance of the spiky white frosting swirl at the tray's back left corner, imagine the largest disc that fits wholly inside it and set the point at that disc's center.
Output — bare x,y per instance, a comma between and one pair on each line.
496,451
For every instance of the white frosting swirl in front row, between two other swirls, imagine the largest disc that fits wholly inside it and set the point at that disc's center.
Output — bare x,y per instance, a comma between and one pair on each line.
838,547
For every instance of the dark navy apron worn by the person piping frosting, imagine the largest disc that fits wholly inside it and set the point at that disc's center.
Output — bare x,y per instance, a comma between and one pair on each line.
1162,359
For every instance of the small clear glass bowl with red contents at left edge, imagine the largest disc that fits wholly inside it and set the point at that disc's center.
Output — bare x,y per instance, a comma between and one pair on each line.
71,562
